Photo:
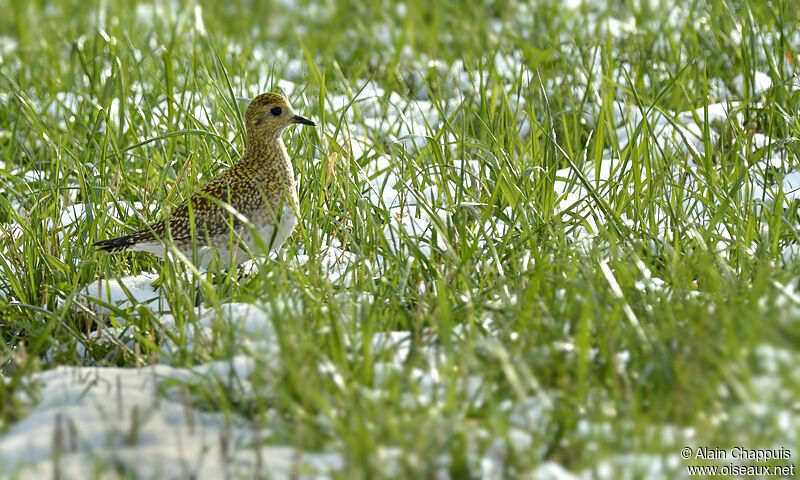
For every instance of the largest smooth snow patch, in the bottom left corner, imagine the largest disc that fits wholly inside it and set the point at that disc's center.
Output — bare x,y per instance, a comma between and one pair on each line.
115,420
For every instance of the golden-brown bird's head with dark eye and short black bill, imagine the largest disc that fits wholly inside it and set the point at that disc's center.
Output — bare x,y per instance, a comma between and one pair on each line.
268,114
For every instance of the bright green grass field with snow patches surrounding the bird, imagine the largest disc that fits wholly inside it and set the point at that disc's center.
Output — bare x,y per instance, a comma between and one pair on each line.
560,310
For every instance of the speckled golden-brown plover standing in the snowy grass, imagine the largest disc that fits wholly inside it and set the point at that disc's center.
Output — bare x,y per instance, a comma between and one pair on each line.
252,204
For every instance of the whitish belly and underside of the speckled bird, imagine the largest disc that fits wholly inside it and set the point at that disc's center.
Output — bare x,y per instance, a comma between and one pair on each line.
255,245
